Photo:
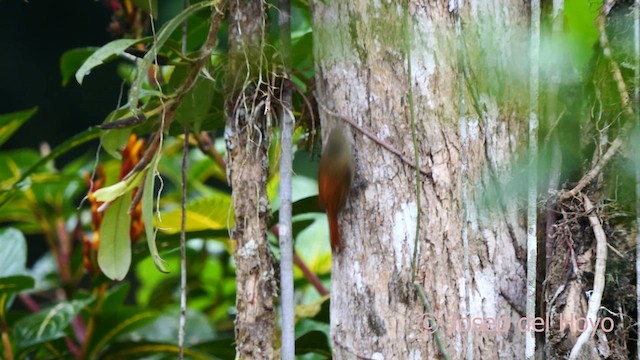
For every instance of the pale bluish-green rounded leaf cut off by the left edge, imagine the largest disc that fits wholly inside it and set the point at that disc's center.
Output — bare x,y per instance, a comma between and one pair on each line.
13,252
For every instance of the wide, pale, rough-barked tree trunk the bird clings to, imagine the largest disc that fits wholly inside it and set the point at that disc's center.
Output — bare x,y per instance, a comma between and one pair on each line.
361,74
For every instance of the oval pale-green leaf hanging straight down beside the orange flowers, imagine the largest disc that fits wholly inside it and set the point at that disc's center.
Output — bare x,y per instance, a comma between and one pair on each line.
114,251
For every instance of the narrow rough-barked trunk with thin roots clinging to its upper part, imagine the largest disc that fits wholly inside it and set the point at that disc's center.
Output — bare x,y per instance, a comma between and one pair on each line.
247,138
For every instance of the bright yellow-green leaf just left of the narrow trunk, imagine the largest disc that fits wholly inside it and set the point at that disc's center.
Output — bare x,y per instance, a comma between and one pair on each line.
213,213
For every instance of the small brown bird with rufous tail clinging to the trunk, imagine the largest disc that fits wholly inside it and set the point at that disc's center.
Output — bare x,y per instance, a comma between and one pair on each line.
334,179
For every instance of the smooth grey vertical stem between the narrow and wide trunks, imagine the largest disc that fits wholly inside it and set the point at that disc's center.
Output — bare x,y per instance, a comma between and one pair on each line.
286,159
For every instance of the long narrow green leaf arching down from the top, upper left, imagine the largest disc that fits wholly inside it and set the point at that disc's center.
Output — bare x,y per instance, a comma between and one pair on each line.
162,37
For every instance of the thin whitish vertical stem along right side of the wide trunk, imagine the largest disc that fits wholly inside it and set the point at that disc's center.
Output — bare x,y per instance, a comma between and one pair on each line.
532,199
